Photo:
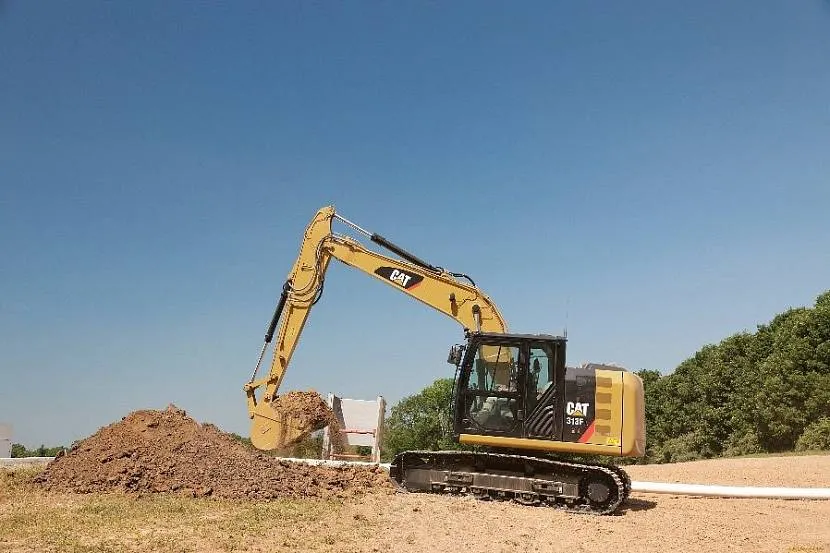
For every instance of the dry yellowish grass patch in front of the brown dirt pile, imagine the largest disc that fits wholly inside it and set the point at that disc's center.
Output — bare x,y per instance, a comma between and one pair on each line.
34,520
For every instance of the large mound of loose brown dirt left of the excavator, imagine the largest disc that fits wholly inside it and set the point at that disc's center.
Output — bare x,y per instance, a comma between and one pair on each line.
151,451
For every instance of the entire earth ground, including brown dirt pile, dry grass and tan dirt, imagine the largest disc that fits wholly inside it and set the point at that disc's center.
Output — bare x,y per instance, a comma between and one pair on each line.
160,481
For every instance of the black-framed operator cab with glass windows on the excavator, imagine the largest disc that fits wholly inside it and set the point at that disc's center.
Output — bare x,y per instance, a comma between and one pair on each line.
511,385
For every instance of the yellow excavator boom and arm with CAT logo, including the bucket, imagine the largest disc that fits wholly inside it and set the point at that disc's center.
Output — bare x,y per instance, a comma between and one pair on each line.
431,285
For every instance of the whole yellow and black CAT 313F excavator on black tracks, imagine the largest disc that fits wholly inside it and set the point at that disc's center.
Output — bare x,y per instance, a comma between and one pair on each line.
524,420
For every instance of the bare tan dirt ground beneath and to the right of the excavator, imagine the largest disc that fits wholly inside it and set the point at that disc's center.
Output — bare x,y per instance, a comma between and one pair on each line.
648,522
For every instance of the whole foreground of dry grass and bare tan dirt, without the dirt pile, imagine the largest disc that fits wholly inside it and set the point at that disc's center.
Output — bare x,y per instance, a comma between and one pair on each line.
34,519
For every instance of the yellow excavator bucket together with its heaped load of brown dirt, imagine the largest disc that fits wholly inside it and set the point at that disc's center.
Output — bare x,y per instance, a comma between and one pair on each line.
288,419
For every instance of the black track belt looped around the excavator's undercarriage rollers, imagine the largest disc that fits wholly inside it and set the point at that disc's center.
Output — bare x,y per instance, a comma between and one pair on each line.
614,473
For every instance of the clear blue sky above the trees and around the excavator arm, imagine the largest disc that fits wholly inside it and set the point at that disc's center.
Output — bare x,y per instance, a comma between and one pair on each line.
658,171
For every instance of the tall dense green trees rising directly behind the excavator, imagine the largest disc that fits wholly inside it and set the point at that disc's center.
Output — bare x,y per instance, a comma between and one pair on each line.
766,391
